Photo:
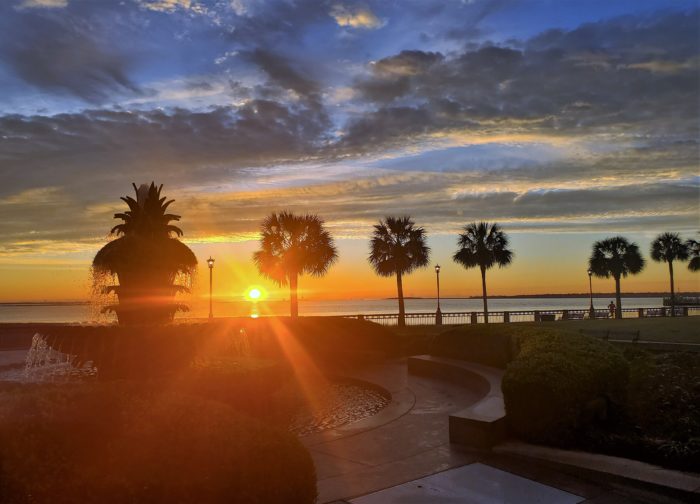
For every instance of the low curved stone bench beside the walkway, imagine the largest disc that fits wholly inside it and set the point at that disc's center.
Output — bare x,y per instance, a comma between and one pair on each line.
483,424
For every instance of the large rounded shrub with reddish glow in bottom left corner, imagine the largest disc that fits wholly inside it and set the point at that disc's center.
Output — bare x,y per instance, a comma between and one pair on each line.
114,443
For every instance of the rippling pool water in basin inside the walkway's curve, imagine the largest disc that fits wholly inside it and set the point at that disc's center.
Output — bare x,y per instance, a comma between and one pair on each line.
338,404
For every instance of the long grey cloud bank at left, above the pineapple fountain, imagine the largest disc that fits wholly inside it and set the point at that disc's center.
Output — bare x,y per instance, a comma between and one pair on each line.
91,150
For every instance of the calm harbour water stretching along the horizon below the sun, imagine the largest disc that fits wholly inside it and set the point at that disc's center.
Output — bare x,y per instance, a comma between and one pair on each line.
85,313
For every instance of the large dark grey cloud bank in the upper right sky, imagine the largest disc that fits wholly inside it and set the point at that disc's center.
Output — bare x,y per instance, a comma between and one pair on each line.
599,77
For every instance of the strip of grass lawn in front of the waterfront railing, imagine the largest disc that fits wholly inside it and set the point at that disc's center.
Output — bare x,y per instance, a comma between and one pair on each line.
665,329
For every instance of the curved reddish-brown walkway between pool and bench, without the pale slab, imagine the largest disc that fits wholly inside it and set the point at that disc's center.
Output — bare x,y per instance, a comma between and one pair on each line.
407,440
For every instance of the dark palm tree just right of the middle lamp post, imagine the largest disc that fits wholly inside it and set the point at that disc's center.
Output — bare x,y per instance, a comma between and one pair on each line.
483,245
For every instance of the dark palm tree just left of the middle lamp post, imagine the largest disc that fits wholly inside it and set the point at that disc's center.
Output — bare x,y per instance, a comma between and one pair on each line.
397,248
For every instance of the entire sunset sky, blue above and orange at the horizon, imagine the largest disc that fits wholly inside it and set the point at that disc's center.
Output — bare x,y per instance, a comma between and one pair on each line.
564,121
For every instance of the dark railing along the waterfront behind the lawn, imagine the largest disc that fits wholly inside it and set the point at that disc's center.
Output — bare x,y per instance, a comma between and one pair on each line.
476,317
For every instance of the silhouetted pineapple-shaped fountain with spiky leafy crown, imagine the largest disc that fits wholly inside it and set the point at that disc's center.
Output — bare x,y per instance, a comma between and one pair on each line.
146,260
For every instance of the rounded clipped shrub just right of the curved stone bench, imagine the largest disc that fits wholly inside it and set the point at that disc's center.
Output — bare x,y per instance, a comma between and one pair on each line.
560,384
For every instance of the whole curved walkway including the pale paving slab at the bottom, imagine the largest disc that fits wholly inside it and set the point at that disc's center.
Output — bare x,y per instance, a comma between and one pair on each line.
403,453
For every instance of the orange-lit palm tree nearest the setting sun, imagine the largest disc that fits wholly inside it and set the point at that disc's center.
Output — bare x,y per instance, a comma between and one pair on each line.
291,245
